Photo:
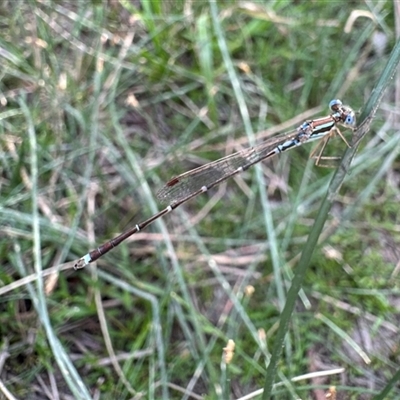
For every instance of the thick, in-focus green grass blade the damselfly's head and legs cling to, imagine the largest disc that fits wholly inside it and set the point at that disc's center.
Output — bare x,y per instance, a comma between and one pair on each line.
366,118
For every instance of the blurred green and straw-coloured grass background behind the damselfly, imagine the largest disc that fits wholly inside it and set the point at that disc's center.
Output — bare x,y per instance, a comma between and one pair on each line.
103,102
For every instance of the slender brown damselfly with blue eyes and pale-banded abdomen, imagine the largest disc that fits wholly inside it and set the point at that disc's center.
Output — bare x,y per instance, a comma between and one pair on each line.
184,187
